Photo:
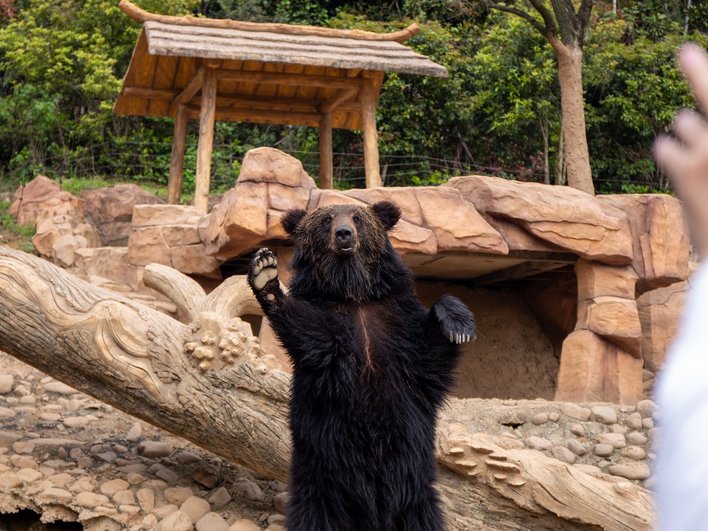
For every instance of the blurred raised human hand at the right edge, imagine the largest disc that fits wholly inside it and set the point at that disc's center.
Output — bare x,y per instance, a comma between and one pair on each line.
685,158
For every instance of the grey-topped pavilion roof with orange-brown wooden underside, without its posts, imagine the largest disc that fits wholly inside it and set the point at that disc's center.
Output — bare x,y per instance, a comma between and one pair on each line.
268,73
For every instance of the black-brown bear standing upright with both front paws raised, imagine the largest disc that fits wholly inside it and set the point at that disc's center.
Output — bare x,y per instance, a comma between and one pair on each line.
371,368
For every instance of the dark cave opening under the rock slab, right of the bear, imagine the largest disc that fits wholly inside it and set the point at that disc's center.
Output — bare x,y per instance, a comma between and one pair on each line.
521,327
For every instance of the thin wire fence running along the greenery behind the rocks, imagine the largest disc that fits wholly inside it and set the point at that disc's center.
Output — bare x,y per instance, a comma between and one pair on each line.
148,162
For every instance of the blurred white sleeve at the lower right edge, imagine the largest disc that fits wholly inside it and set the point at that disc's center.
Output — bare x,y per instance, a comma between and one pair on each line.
682,396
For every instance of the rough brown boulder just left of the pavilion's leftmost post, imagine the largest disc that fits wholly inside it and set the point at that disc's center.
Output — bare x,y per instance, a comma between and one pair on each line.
110,209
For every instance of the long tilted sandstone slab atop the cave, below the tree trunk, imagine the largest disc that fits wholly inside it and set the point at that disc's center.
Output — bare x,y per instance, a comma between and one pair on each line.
562,216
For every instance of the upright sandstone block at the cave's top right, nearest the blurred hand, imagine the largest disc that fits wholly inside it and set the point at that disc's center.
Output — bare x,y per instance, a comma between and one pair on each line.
660,237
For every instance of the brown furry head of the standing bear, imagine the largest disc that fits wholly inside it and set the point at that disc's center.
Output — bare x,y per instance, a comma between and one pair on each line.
342,252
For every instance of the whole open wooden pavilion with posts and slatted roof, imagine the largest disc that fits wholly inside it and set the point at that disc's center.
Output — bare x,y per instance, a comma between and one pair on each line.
208,69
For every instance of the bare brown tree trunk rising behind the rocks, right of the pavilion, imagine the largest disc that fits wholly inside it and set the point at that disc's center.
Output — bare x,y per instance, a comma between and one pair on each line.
570,77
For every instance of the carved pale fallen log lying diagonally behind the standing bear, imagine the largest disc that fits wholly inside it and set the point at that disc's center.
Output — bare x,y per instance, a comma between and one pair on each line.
210,382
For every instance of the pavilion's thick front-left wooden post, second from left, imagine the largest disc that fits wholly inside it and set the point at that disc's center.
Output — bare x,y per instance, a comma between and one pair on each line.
207,115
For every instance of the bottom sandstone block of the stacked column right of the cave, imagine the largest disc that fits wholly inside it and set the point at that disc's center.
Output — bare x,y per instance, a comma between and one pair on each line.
593,370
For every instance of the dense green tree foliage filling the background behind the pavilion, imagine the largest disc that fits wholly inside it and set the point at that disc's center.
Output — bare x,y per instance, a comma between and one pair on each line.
498,113
